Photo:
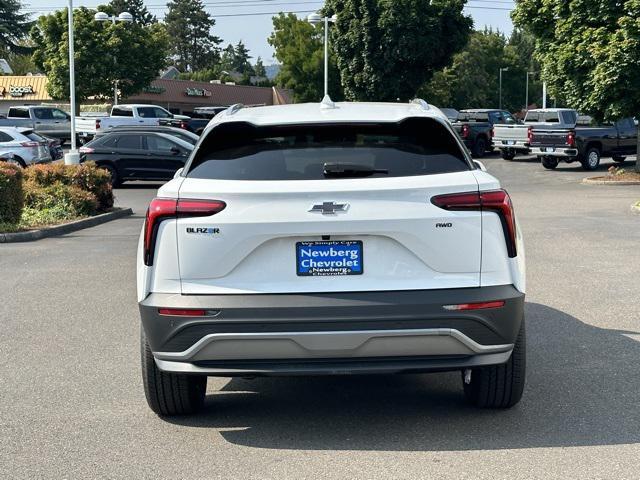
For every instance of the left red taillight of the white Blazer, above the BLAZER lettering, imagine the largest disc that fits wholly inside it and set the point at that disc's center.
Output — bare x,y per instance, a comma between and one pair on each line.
165,208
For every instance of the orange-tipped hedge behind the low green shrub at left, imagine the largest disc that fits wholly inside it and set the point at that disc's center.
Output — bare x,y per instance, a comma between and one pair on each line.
86,176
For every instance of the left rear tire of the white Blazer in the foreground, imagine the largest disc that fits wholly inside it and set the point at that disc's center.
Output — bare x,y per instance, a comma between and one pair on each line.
169,393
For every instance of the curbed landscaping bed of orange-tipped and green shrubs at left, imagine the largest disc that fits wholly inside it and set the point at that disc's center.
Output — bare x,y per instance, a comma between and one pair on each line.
46,195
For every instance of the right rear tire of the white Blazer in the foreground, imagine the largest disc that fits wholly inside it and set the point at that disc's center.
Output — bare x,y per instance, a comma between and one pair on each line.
499,386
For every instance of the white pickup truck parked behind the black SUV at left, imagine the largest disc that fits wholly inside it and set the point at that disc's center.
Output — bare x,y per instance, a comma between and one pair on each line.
133,114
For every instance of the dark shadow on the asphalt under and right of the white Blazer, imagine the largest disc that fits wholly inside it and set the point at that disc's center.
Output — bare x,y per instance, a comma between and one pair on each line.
582,389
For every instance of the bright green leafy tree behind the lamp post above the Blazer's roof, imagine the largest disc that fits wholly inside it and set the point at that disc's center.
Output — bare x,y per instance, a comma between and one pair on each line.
298,47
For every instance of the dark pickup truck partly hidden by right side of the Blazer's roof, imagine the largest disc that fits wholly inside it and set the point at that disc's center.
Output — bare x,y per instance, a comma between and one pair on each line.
475,127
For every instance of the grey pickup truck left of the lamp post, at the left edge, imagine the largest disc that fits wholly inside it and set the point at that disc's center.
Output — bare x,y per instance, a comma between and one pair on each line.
43,119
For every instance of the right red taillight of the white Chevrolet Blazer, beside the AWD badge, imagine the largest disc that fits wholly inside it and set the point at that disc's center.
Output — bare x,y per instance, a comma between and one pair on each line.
494,201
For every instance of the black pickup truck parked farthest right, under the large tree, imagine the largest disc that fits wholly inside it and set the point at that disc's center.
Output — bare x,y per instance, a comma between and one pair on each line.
586,144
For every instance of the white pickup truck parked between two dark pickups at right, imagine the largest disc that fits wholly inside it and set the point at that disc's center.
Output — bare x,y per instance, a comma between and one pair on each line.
513,139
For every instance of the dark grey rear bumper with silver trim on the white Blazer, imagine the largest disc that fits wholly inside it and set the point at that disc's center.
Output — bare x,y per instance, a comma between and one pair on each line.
364,332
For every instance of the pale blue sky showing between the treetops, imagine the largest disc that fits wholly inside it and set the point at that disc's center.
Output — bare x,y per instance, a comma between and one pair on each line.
246,19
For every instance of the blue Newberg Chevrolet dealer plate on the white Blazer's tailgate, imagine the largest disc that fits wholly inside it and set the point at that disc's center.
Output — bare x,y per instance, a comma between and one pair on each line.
329,258
